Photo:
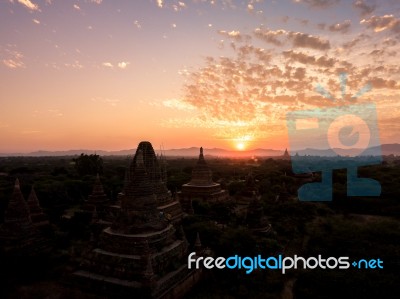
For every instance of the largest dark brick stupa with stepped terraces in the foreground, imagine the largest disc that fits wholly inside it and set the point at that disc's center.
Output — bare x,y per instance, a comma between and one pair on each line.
139,255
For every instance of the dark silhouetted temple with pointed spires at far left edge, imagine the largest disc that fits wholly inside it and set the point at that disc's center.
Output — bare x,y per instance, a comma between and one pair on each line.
18,234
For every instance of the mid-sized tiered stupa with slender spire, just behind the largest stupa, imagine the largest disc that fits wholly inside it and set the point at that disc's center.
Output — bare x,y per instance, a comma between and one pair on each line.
201,186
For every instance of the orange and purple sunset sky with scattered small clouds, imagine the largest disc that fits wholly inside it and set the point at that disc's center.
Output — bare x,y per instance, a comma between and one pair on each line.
106,74
